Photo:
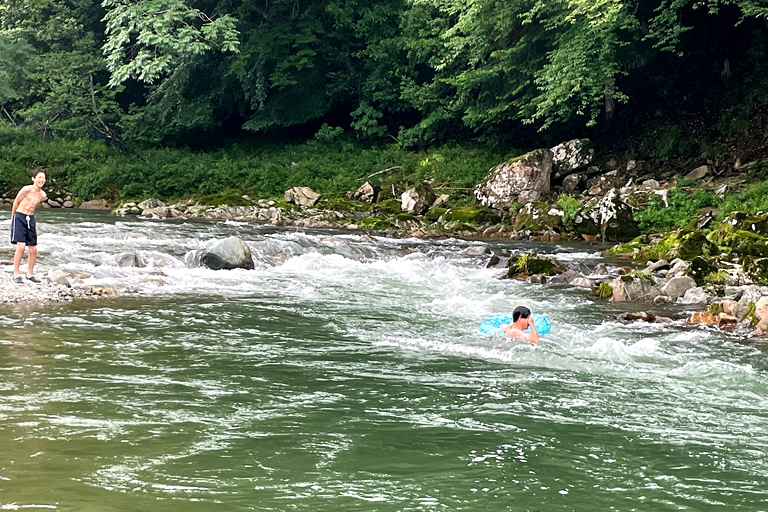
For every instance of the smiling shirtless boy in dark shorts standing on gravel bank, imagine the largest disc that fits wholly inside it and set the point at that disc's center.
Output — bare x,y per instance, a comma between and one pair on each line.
23,232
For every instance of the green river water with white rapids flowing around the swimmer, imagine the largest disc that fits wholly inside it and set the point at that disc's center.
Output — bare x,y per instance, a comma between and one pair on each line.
346,373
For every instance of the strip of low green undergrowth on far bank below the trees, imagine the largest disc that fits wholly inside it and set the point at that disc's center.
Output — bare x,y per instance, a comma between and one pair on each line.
263,170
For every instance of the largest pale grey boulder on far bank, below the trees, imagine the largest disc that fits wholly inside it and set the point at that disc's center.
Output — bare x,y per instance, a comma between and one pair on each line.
522,179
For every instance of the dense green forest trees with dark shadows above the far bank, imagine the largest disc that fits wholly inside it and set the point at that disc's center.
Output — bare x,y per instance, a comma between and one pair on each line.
675,80
